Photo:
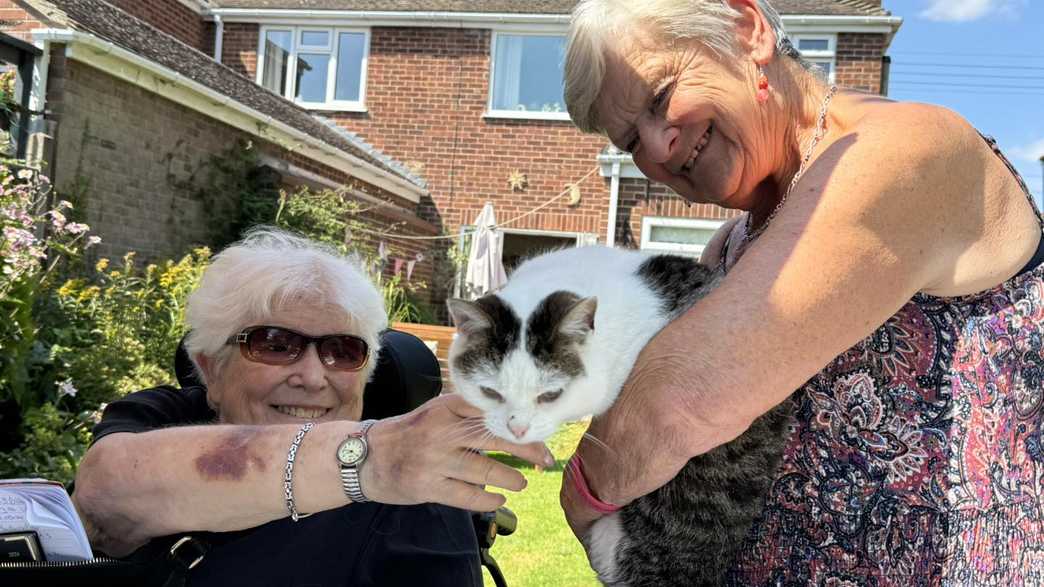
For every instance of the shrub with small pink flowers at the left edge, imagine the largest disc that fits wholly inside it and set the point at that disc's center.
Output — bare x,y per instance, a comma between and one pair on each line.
42,429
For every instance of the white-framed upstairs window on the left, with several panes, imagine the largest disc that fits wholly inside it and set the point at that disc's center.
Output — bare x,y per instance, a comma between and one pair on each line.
321,68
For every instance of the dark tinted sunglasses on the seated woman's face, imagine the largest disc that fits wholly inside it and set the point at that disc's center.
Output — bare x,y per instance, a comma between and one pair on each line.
273,345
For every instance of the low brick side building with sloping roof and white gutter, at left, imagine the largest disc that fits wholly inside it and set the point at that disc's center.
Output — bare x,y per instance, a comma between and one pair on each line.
134,110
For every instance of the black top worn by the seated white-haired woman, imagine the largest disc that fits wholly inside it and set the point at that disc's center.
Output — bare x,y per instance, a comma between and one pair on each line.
362,545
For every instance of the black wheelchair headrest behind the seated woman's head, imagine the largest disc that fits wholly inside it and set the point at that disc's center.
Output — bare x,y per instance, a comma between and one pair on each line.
407,375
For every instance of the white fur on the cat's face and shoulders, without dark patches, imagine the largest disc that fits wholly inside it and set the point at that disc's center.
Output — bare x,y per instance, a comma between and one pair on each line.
628,316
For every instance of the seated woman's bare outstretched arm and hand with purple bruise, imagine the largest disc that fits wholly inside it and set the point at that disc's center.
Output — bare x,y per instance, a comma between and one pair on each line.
135,487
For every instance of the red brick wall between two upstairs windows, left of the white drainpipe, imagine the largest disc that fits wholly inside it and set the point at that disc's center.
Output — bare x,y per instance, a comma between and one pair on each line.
426,93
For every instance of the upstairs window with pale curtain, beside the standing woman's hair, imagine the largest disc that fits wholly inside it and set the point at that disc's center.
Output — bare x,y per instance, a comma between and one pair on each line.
526,81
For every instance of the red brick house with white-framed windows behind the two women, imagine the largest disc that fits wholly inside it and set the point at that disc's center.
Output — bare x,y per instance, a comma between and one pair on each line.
466,95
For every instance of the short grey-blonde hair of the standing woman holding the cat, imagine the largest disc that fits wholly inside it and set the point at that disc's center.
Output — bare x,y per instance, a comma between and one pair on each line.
598,24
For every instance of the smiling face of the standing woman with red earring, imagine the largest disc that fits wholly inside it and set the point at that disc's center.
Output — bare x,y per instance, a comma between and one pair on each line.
690,121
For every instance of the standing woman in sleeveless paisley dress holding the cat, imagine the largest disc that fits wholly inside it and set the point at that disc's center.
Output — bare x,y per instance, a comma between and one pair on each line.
886,272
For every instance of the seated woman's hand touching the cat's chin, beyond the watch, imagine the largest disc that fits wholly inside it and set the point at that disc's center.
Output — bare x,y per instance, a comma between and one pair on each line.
432,455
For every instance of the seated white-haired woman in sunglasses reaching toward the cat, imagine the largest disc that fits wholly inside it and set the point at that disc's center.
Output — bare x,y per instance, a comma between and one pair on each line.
284,335
